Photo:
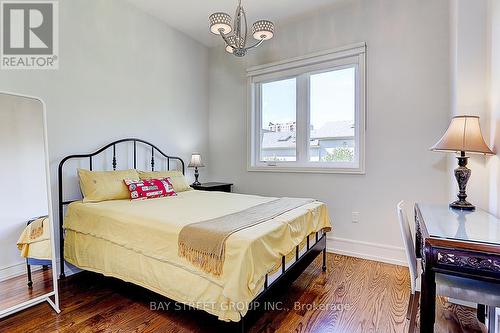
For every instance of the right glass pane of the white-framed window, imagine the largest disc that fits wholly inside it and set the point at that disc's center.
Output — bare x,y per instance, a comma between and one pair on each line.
332,105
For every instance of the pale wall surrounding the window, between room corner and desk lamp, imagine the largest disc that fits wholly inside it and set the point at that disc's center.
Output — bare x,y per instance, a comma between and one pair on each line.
408,109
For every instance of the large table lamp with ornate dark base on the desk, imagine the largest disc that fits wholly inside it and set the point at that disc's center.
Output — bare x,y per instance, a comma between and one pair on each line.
463,135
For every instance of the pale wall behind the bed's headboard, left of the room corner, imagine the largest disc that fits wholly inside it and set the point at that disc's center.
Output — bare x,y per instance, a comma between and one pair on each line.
122,73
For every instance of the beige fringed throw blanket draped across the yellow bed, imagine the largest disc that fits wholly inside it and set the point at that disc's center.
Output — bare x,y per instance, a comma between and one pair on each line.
203,243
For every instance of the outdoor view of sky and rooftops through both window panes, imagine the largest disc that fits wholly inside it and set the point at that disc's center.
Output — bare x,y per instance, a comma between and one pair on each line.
332,111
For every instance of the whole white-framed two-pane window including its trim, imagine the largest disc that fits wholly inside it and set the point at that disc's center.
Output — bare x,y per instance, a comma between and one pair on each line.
308,114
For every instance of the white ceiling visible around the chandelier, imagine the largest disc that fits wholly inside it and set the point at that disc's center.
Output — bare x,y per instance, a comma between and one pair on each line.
191,16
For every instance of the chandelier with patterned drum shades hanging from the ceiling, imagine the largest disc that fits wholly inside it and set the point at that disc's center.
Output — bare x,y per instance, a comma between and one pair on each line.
236,42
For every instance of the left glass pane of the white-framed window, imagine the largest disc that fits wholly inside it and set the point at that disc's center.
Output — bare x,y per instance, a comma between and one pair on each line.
278,126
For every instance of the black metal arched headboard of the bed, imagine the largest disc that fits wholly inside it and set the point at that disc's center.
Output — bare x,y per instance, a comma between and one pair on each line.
90,156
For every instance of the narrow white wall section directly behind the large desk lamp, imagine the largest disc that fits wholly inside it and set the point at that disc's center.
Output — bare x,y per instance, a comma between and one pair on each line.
469,74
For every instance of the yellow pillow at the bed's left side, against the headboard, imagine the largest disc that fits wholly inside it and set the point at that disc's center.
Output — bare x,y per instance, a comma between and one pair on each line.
105,185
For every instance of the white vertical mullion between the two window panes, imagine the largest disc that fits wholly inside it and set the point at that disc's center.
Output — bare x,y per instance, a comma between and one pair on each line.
301,141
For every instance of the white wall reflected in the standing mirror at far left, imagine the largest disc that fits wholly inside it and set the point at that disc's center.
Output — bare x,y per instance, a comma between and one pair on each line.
24,193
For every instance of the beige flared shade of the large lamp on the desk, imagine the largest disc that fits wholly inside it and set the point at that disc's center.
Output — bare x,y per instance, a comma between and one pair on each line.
463,134
